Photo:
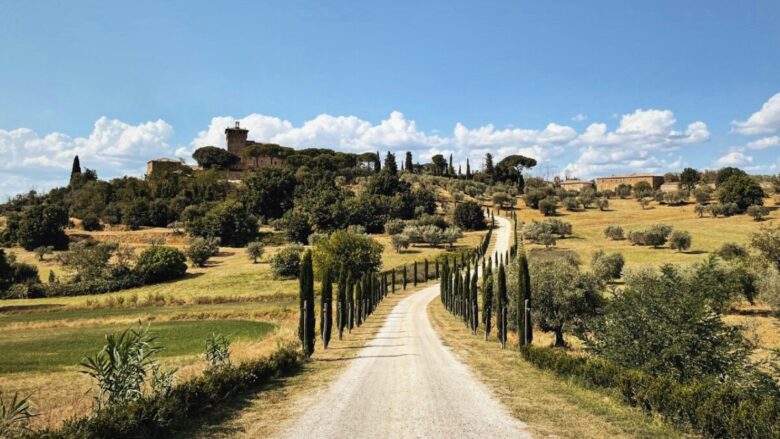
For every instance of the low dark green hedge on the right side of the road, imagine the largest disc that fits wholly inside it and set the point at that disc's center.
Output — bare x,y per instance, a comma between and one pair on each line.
708,407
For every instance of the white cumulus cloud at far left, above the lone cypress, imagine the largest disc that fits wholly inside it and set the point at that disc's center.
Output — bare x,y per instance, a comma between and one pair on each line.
33,161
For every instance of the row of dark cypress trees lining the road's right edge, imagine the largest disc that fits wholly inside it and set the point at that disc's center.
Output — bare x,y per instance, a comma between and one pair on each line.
459,292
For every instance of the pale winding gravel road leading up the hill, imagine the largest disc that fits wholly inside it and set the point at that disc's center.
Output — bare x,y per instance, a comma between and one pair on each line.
406,384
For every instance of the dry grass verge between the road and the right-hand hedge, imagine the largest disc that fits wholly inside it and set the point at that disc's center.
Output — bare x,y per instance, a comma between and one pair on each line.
551,407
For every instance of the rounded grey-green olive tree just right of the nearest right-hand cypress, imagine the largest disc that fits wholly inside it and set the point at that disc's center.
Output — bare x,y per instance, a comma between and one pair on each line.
564,298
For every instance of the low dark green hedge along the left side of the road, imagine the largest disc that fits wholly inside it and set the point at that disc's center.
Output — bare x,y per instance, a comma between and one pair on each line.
162,415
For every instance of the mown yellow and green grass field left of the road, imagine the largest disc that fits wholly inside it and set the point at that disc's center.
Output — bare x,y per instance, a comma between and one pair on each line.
43,340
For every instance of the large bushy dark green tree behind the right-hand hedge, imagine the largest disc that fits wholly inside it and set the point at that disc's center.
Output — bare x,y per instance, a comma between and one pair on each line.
684,339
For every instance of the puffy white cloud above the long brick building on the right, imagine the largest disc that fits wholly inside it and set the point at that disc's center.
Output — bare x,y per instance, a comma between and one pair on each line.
635,145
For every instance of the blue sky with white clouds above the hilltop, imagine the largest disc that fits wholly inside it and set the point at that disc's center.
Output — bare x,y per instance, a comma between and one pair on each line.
587,88
